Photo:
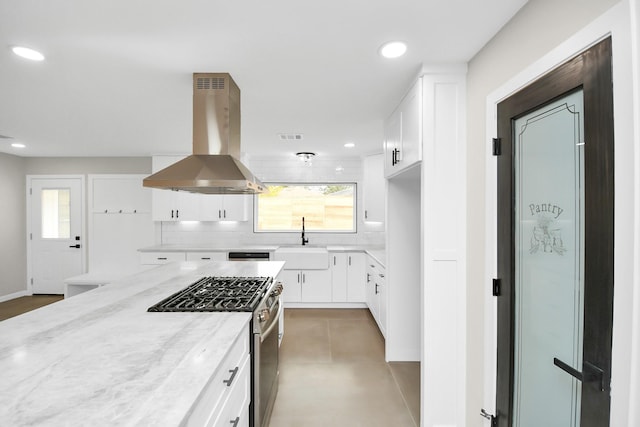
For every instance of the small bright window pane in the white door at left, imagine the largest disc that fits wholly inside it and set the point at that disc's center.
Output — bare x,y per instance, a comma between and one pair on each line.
56,222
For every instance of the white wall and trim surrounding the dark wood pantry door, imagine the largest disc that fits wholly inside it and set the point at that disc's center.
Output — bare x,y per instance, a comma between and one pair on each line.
502,67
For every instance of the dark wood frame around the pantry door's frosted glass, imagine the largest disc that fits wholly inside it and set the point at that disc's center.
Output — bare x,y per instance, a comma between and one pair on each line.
591,71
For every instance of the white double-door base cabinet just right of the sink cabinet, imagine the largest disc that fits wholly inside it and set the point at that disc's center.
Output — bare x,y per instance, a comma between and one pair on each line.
347,276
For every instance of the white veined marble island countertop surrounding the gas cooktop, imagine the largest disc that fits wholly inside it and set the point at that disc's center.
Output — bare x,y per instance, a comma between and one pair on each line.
101,359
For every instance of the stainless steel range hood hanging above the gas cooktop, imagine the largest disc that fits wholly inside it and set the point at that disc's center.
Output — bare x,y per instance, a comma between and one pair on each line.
214,167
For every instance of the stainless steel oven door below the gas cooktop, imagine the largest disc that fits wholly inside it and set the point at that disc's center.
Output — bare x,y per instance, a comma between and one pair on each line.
265,386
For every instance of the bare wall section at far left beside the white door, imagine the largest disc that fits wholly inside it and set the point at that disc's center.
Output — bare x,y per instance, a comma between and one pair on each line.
13,247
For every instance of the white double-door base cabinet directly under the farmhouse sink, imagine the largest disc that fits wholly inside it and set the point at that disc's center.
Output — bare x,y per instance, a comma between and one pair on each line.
312,286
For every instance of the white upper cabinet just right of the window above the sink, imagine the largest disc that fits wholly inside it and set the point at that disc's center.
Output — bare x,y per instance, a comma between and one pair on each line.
374,188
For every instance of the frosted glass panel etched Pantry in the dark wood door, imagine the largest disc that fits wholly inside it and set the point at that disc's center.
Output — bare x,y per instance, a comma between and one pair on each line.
549,238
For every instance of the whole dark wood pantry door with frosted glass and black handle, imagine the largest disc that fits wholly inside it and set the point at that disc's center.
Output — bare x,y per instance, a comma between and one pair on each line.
555,247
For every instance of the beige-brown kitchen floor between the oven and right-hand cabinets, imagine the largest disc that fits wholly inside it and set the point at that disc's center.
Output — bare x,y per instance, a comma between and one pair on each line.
333,373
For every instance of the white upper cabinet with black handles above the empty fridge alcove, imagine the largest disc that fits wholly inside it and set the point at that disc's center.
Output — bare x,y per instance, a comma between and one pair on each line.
403,133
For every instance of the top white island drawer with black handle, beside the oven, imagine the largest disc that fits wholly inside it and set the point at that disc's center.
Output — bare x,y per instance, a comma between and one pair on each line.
210,404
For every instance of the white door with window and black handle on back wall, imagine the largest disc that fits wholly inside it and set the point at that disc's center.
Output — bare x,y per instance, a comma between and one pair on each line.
56,243
